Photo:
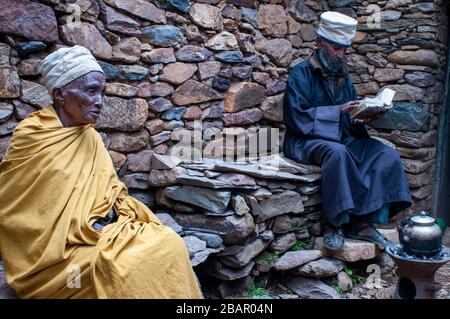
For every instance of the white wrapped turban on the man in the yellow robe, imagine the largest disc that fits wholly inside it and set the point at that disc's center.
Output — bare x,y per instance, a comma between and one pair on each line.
67,64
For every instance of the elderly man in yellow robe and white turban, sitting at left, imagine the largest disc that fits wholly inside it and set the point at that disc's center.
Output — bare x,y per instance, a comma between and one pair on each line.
68,228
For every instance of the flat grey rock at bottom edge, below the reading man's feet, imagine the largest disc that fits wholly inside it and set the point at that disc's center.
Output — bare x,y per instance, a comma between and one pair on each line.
308,288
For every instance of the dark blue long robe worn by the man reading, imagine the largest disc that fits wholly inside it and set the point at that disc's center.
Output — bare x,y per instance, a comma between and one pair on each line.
360,175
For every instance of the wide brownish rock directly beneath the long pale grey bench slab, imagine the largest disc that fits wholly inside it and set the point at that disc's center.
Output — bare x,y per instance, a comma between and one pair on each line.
233,229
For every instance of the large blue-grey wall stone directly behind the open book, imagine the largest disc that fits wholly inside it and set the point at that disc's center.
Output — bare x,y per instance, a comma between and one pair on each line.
404,116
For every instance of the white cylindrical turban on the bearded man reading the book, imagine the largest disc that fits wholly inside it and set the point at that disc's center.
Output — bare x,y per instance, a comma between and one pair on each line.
337,27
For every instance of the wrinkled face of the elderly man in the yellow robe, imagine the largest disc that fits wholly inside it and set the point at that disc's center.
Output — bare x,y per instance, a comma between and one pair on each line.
82,99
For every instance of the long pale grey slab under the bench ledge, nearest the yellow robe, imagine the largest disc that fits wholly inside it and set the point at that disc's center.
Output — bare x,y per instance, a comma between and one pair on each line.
213,201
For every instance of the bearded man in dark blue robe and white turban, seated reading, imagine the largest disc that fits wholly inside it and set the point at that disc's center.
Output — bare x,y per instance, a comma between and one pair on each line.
363,181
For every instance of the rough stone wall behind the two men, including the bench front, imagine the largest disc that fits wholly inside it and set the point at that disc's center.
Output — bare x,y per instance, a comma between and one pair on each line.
218,68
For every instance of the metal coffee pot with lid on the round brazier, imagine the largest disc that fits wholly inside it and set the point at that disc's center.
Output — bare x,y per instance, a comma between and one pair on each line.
420,235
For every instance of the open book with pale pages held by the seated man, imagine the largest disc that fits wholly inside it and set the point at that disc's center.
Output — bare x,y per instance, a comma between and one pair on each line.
370,106
